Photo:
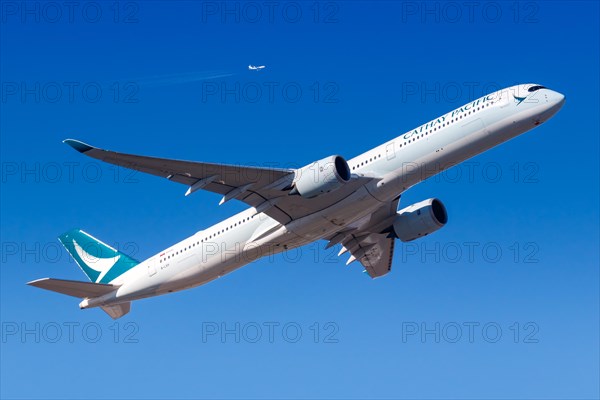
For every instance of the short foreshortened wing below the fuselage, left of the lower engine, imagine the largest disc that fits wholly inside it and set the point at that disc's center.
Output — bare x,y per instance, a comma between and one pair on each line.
370,243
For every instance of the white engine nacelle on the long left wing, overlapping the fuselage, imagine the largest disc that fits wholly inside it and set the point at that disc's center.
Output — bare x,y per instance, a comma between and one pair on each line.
321,177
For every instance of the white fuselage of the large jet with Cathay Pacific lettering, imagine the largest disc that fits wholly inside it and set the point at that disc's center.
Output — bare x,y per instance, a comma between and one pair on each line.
402,162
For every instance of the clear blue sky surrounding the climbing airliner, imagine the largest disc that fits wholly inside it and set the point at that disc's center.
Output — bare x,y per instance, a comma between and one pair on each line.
501,303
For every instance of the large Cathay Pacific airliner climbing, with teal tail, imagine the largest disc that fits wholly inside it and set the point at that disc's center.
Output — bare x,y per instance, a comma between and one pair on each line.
353,203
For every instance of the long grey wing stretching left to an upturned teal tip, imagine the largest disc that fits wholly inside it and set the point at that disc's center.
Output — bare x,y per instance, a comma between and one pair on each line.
266,189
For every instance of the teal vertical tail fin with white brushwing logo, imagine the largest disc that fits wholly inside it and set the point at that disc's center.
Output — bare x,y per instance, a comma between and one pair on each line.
100,262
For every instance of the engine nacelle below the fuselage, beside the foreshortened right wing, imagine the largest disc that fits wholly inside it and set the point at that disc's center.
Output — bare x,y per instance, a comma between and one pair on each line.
420,219
